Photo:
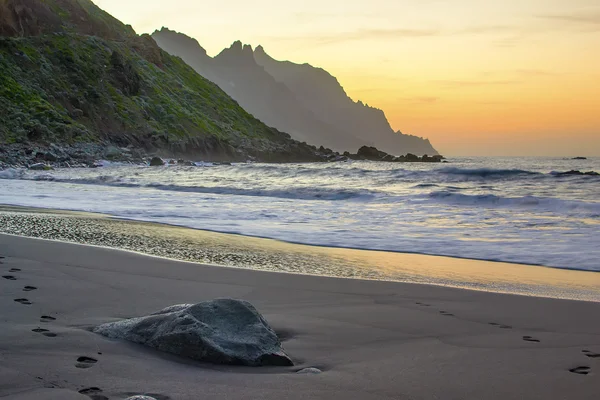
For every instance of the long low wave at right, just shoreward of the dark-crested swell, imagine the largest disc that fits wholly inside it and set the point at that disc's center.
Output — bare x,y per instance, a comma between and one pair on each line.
544,203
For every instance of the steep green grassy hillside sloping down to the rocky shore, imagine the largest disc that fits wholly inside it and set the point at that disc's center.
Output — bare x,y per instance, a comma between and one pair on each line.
70,73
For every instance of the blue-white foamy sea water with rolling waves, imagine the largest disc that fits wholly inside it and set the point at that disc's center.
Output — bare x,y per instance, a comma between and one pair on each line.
521,210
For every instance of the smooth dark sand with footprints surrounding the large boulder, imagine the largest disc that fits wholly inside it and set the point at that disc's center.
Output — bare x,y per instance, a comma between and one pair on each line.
372,339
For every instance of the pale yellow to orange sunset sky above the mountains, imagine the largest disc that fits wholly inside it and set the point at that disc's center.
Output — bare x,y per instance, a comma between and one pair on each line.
476,77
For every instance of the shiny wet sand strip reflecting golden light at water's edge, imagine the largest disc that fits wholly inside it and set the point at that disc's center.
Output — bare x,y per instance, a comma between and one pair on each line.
247,252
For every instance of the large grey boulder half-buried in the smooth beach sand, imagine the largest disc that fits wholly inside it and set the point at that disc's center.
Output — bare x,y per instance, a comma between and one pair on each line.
222,331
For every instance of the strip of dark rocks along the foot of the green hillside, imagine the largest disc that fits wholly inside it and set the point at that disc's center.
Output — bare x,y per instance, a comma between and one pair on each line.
88,155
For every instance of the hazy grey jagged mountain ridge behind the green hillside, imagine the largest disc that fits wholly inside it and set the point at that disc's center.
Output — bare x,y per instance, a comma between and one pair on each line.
305,101
